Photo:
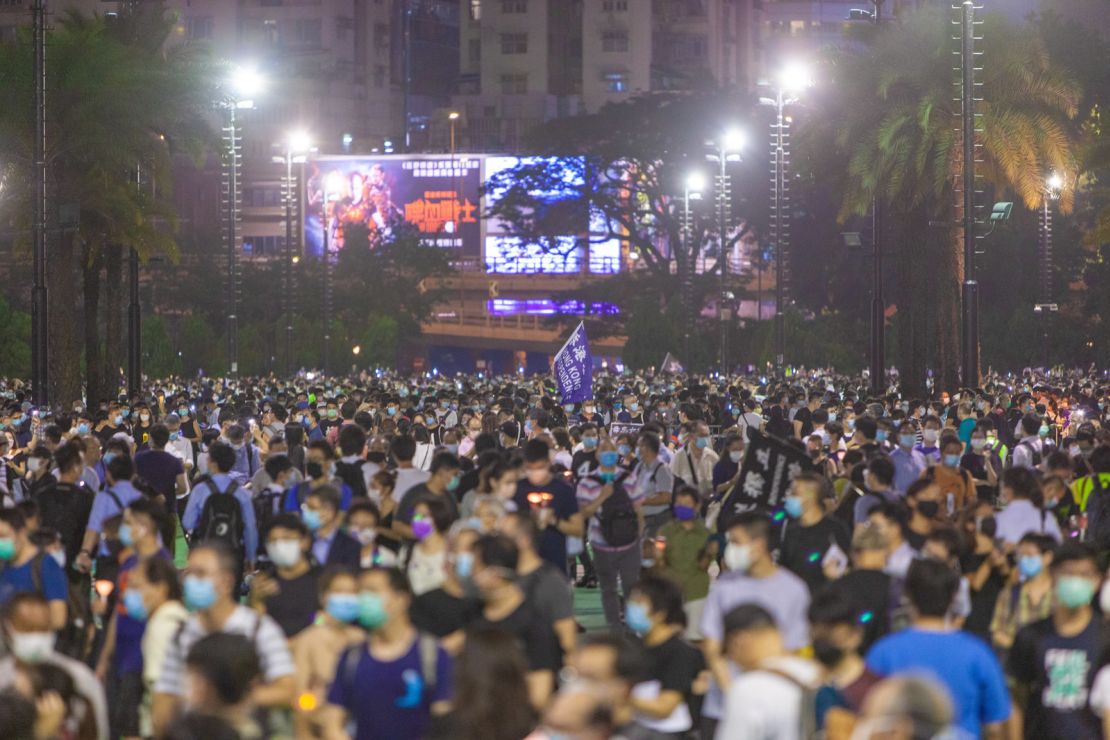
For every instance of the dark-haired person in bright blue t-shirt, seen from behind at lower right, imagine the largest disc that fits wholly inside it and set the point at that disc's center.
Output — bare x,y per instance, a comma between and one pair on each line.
964,664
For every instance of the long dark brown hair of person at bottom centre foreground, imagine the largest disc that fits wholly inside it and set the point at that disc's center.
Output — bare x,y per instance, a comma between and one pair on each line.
491,694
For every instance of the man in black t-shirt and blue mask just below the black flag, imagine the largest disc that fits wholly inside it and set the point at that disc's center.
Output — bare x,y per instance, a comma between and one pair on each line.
812,540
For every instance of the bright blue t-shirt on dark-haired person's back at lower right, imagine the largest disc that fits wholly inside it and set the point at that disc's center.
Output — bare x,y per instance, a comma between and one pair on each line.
962,663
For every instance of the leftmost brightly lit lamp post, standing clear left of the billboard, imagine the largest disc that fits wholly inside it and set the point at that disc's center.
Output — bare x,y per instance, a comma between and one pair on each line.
246,84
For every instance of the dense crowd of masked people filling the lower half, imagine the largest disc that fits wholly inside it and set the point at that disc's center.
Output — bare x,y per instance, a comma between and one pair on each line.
388,557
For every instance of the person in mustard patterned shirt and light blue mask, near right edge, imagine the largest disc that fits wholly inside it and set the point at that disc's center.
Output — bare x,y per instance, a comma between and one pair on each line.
1031,600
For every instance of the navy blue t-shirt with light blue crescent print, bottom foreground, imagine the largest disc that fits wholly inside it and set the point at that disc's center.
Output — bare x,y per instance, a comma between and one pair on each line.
388,701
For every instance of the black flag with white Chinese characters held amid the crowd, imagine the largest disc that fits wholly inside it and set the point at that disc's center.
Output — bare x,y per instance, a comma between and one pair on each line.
769,468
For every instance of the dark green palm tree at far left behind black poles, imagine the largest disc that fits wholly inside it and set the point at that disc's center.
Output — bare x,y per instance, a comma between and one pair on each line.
119,99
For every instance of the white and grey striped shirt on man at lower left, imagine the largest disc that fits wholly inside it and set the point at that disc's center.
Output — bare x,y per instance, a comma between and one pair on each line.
265,634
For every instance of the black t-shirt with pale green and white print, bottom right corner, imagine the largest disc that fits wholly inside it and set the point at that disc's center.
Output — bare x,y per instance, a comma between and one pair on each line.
1059,673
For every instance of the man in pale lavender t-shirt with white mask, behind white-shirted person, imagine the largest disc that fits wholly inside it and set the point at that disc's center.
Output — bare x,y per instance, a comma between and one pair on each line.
752,577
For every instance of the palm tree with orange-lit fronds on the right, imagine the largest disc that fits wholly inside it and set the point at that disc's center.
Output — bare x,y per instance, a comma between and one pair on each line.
891,119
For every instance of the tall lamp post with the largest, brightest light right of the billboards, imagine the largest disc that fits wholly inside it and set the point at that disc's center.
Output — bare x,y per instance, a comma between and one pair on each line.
792,82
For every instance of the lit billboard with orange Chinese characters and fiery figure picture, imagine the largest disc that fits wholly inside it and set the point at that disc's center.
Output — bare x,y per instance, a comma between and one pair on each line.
438,195
